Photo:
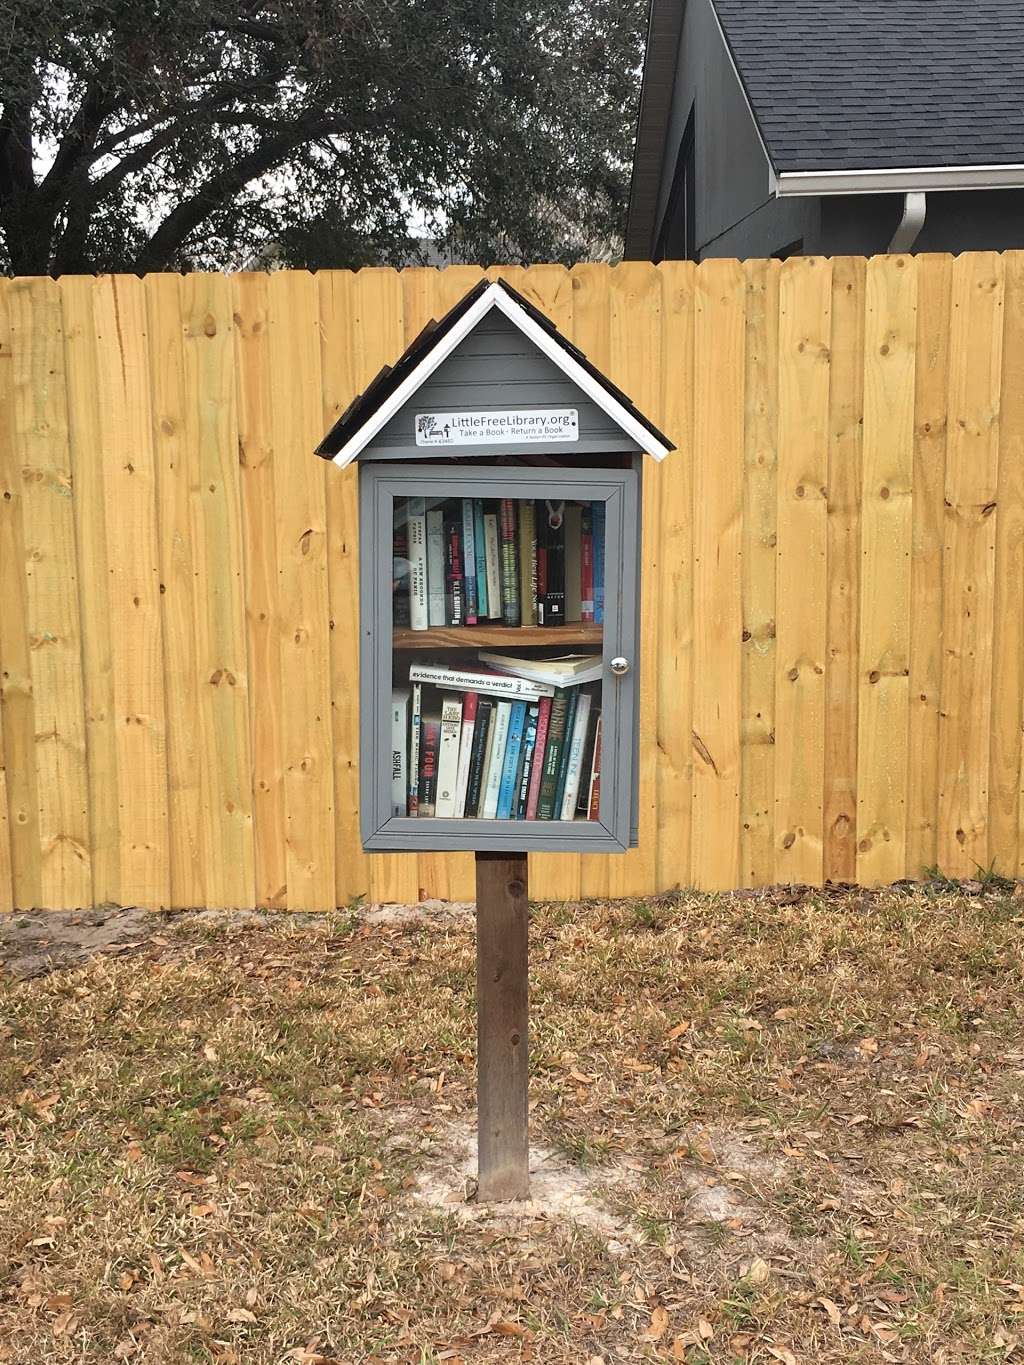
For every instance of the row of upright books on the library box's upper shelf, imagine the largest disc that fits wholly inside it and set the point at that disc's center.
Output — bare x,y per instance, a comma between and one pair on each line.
472,562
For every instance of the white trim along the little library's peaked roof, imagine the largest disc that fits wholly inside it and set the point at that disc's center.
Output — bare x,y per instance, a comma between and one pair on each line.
496,298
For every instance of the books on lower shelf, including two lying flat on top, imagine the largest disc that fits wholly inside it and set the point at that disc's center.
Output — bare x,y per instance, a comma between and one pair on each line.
492,743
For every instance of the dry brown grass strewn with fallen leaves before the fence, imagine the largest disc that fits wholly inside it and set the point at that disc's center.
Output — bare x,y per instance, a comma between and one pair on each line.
803,1112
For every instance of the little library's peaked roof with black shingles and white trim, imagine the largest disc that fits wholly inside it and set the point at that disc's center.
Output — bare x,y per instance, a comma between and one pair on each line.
395,386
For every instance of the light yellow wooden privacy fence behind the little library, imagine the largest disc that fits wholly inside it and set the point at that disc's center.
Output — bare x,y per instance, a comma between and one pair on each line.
834,631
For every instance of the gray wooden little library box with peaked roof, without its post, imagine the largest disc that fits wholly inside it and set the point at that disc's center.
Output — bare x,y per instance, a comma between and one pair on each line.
500,551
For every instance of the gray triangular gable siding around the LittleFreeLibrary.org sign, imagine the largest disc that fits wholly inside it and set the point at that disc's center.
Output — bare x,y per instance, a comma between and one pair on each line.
529,382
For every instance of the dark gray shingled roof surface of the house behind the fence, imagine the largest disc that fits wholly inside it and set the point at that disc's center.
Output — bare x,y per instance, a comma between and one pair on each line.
844,85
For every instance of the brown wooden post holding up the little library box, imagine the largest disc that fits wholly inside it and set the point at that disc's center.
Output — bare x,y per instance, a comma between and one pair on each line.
503,1143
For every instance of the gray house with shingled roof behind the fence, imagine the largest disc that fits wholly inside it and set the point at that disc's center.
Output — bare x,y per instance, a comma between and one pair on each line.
783,128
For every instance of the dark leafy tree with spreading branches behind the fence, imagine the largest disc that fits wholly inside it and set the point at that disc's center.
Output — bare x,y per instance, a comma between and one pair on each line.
175,134
